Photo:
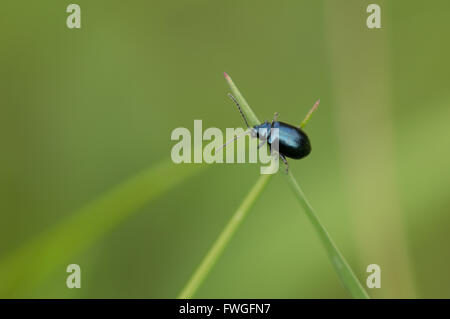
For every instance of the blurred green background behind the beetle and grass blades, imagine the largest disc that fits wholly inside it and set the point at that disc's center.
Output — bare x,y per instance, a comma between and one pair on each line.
84,110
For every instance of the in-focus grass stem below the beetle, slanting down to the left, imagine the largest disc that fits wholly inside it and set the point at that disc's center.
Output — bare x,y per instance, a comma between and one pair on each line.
222,241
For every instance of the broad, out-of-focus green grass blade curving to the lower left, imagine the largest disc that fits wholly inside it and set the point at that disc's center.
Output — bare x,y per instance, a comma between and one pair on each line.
24,268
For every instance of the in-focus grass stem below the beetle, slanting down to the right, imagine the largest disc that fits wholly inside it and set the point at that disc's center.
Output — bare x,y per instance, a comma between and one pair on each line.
340,265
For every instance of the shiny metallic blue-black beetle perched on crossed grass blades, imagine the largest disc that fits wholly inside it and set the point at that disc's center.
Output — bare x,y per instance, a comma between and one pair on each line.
292,141
